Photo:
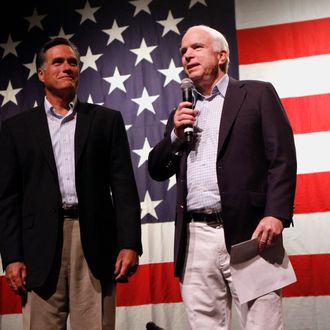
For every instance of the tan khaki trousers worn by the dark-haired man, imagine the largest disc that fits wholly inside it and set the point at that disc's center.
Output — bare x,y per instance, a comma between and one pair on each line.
78,294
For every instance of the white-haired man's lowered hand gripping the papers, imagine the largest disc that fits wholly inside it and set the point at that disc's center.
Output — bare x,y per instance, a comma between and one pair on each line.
267,231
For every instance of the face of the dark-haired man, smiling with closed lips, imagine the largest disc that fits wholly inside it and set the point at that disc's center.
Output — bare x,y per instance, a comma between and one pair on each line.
60,73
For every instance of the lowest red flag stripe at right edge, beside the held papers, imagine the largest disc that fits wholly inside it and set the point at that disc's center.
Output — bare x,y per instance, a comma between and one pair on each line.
313,273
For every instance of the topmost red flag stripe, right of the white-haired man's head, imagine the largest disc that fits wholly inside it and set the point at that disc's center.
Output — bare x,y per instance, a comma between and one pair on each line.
283,41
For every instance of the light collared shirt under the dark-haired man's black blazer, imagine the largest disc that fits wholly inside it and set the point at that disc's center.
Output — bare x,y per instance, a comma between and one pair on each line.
62,131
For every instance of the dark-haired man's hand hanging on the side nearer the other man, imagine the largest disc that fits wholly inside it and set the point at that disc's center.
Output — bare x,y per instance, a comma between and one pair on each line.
126,264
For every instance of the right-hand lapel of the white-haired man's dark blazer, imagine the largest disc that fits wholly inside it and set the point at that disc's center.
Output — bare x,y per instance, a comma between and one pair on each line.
232,104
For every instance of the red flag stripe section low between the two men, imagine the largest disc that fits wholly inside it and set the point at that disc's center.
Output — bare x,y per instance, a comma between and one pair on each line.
152,284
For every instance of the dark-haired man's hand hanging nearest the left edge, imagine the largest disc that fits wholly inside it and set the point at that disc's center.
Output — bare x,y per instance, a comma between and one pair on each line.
16,277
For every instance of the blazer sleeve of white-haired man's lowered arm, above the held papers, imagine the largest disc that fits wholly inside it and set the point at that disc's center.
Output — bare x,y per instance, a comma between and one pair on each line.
280,154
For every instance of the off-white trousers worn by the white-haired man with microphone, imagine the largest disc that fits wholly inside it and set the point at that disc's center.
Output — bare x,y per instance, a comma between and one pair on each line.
208,291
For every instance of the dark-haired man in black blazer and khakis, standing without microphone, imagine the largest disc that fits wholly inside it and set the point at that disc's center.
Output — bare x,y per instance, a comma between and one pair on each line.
69,207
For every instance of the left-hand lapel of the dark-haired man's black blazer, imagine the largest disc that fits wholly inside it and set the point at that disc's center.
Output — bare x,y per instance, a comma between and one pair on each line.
40,126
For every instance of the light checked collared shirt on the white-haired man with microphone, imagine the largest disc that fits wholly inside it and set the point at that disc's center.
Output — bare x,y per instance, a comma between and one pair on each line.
202,183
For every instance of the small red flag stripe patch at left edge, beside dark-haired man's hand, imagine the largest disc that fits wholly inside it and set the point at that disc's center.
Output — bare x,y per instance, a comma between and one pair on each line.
9,302
